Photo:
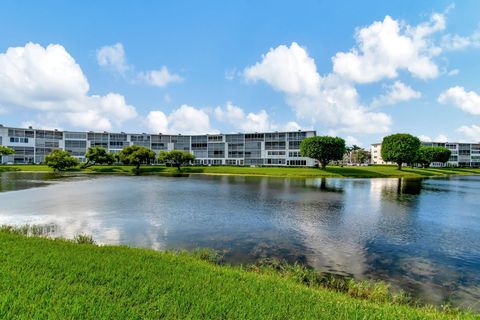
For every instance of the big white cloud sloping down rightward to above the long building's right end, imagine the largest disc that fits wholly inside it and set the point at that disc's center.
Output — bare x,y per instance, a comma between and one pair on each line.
329,100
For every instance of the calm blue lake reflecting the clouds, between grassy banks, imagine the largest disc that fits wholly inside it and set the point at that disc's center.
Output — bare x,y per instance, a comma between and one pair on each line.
420,235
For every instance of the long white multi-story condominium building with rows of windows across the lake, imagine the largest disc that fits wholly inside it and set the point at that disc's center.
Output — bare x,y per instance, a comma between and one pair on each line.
266,148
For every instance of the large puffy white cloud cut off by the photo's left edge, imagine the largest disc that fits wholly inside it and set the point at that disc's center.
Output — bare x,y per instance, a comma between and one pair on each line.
48,79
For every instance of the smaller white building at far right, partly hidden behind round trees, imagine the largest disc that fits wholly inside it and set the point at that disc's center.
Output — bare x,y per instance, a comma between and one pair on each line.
463,154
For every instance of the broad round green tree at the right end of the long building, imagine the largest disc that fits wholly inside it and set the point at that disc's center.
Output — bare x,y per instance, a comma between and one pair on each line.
323,148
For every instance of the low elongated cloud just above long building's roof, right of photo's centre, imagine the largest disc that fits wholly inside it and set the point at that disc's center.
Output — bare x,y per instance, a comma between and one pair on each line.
250,122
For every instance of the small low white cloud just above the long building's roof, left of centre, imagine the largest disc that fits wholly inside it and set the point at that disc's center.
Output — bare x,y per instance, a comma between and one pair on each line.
185,120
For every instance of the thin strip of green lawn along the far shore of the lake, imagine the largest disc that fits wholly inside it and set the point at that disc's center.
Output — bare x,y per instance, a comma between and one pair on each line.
377,171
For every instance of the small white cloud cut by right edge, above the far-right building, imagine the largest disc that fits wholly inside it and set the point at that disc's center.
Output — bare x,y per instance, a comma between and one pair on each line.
457,96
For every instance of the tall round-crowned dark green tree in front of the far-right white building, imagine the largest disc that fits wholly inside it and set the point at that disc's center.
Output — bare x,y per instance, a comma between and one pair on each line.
400,148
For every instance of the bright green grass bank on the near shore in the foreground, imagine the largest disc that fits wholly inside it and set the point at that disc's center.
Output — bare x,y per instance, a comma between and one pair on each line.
43,278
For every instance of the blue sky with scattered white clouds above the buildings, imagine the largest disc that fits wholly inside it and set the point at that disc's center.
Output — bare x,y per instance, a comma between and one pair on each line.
360,71
